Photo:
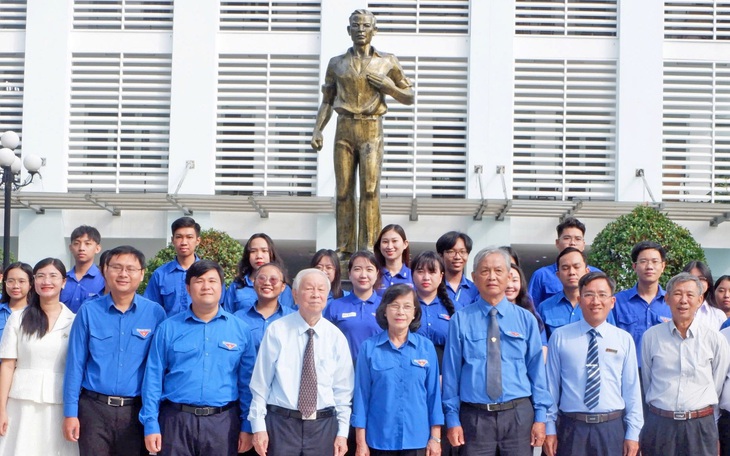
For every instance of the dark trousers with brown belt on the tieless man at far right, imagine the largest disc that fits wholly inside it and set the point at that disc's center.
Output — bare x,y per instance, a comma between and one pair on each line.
668,437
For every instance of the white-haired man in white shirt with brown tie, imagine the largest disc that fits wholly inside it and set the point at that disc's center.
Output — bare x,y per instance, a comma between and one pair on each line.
303,380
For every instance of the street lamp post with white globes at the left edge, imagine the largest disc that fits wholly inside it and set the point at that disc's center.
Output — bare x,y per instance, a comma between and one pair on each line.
11,166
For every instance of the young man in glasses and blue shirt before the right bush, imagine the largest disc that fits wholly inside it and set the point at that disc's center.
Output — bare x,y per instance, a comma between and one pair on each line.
641,307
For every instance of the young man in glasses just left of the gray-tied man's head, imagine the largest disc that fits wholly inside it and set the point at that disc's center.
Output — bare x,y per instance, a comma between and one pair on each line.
454,248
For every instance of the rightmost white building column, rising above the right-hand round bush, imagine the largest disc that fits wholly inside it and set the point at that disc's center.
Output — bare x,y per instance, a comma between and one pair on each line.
639,115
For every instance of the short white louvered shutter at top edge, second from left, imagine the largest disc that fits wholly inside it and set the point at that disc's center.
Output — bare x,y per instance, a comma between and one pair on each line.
122,14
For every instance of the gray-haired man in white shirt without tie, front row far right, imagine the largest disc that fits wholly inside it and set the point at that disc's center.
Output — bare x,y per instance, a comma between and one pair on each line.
684,366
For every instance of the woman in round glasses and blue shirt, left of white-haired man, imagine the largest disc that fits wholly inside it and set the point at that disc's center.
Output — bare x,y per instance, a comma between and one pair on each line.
268,283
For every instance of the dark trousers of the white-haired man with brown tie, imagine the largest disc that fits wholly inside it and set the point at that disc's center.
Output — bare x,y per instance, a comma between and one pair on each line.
294,437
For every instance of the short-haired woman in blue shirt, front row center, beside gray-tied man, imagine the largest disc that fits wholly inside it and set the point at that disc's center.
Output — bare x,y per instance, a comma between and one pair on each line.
397,401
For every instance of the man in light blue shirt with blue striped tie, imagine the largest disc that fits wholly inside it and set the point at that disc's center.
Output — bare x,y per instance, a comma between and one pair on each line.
593,378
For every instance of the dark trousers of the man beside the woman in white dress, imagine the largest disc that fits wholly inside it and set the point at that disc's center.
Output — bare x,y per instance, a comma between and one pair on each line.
107,430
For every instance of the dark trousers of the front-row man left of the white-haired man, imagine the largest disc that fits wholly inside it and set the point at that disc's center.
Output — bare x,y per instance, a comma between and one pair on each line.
184,434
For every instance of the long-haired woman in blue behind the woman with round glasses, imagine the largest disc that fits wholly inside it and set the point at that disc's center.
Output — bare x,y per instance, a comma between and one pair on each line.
258,251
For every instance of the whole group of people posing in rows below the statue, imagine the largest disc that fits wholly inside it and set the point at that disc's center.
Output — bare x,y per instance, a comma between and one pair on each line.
415,360
